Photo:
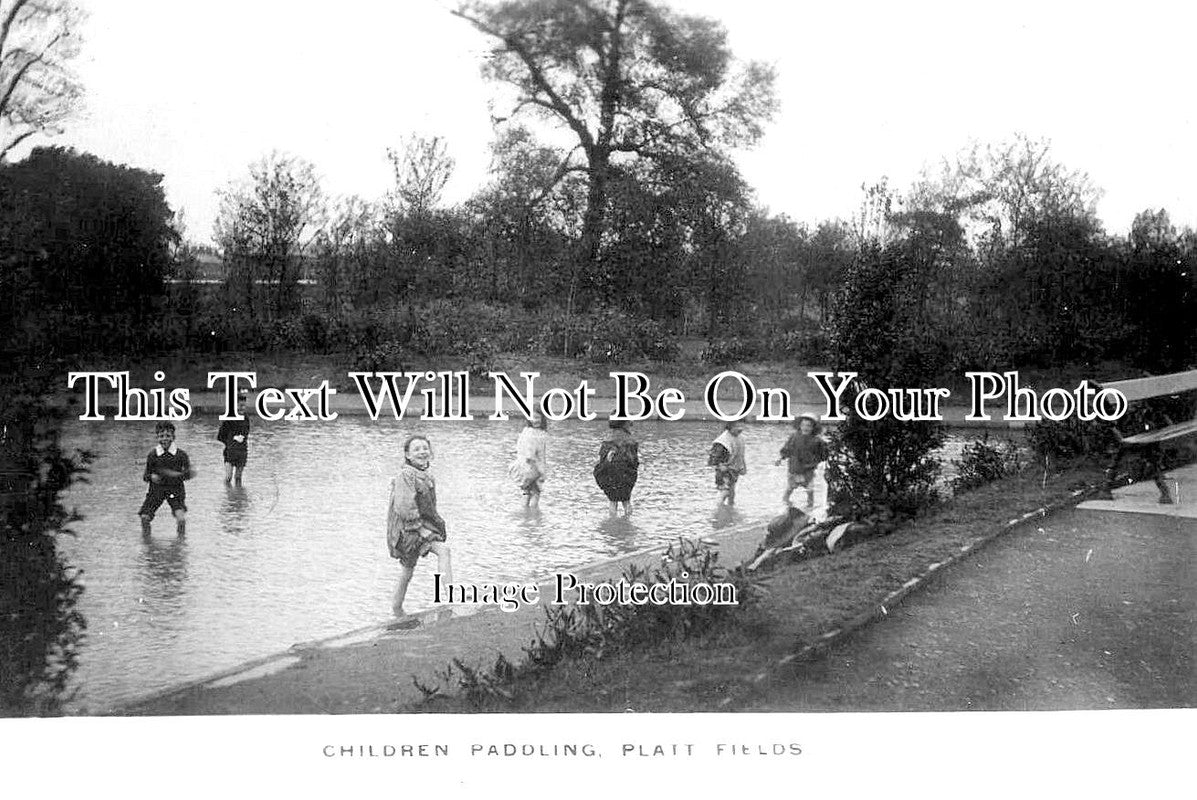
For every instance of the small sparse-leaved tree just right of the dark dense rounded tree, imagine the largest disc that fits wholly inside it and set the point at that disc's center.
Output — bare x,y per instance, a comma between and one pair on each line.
265,225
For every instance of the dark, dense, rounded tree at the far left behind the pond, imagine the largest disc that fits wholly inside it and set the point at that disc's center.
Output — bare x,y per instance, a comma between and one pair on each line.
88,246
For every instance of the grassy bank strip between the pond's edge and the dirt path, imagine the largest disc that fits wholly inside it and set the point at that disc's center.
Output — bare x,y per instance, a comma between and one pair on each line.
803,602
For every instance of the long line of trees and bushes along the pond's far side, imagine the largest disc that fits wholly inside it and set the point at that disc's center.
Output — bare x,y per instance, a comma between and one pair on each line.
1004,259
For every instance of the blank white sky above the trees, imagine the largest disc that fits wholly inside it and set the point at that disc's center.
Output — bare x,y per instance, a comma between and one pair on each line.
198,92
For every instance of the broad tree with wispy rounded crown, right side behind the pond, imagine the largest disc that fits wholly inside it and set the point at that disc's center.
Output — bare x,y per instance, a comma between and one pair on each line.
1018,233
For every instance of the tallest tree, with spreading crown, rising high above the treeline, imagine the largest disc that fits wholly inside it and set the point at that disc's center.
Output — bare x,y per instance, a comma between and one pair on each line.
628,81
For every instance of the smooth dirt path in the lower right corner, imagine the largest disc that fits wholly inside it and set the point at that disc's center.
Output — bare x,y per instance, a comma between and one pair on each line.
1091,610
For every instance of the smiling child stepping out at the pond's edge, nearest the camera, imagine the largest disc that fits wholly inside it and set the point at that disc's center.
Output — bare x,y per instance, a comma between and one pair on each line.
415,529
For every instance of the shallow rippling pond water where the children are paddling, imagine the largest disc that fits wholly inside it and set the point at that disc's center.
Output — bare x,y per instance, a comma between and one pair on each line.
300,551
